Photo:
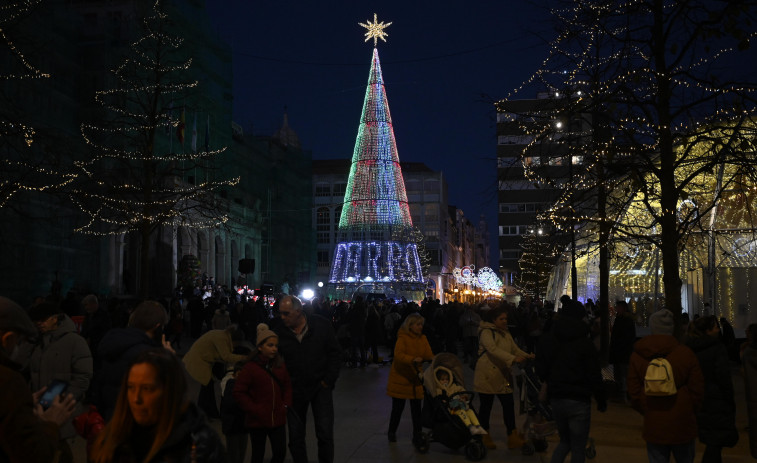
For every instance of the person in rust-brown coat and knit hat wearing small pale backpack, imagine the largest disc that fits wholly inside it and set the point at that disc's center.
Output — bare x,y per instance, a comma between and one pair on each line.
670,424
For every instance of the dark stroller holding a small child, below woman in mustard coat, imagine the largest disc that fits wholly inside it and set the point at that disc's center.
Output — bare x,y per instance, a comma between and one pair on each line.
445,426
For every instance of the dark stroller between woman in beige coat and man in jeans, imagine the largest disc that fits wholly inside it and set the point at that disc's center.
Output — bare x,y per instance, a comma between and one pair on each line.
539,422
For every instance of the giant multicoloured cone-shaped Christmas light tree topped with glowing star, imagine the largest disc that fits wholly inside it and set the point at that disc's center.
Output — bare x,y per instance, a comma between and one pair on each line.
376,251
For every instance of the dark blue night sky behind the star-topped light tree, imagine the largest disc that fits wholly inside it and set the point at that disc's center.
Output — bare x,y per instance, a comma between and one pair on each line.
443,65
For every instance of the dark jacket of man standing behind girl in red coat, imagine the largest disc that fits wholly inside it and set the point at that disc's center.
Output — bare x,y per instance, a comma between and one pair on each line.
317,358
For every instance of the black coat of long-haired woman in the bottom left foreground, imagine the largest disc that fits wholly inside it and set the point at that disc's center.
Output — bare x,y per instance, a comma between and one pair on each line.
191,434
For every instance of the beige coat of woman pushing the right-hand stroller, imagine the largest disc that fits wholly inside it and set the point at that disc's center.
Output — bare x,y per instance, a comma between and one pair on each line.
497,352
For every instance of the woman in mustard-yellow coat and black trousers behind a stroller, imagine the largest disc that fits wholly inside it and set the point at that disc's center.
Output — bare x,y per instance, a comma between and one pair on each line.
411,350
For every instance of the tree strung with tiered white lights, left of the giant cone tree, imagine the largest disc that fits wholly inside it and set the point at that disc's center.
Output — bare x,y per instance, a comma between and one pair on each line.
134,179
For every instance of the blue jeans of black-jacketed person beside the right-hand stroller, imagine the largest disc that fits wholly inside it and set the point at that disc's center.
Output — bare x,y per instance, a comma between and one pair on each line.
573,419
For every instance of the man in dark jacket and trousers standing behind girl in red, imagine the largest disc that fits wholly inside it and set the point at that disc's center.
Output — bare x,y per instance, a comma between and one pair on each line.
313,356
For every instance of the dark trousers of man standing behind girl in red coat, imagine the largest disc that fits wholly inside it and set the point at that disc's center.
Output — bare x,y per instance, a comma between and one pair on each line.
322,404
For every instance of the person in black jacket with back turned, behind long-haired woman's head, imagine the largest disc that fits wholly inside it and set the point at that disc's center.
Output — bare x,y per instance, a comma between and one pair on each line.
120,346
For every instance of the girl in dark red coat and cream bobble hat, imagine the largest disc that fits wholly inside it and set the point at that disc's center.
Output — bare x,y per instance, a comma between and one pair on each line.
263,390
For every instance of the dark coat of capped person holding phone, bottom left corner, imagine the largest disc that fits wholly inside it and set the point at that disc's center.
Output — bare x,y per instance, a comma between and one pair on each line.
24,438
